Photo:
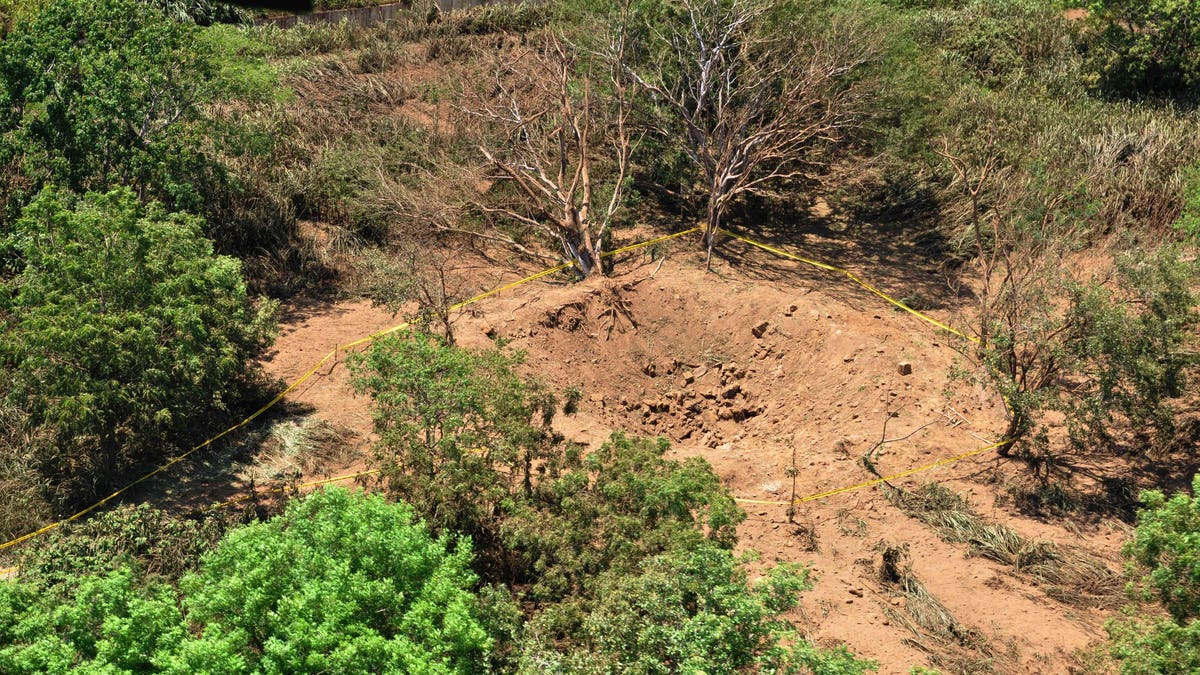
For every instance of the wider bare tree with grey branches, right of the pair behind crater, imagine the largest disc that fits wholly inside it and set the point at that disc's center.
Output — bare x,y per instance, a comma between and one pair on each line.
751,99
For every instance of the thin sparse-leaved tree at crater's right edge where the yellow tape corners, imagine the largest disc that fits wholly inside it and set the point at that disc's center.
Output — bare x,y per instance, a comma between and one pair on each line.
1019,243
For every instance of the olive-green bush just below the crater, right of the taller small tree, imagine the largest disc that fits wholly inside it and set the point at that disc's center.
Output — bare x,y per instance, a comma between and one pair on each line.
608,511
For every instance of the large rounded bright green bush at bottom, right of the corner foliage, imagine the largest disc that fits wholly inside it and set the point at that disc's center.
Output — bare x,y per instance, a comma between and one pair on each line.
341,583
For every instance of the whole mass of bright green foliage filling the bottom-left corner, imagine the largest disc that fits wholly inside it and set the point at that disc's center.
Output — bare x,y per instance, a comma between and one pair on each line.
341,583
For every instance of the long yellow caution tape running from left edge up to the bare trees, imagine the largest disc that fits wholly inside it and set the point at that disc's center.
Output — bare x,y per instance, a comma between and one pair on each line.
304,378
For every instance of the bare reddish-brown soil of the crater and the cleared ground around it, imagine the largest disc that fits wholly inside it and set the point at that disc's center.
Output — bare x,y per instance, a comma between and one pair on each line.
680,353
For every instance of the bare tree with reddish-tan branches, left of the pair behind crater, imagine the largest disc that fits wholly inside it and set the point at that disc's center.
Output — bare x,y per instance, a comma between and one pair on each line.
566,148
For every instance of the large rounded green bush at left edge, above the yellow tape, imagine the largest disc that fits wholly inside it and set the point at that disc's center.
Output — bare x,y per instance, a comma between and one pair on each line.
124,334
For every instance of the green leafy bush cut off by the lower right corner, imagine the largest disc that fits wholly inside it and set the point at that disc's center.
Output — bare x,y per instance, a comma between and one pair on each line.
1166,553
